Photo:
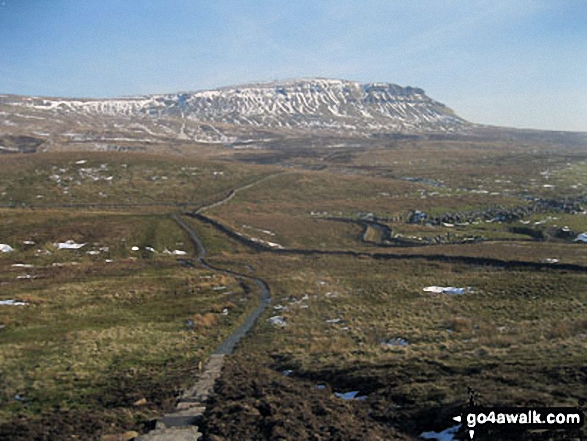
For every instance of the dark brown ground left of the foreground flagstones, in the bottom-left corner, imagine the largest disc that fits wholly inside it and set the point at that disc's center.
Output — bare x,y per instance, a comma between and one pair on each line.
108,410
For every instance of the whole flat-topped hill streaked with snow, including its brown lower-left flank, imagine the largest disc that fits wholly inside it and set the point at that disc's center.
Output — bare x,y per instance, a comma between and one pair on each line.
239,113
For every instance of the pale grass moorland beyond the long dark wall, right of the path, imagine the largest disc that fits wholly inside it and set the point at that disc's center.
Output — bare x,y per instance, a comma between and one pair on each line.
520,202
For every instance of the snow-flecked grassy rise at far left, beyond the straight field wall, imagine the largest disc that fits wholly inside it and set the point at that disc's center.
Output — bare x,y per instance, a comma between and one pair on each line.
115,178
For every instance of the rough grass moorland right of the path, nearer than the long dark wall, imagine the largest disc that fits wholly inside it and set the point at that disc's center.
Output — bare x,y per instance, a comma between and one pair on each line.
354,324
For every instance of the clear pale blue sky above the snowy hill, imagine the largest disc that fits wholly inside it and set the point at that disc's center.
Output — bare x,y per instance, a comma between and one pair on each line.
520,63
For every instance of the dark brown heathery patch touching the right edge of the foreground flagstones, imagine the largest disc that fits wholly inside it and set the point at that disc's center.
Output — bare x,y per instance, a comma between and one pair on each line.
253,402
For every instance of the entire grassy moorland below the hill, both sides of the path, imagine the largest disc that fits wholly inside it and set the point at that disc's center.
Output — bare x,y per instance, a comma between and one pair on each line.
105,326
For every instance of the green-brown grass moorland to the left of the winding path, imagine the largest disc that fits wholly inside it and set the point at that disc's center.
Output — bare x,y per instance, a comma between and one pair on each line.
110,332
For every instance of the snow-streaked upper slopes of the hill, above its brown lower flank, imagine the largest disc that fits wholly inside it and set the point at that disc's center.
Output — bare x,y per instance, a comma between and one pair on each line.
309,105
